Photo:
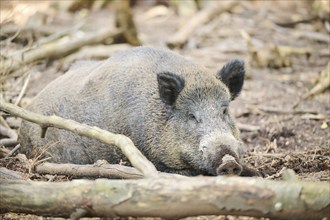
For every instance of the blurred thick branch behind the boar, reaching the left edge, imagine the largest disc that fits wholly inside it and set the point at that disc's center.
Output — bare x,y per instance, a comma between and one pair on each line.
57,48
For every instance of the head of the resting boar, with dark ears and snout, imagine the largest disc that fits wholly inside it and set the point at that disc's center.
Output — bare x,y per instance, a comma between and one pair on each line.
200,135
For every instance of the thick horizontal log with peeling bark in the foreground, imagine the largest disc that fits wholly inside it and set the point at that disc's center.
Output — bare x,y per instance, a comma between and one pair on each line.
168,198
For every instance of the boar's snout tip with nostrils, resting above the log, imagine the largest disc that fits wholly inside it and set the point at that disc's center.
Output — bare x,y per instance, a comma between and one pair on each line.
229,166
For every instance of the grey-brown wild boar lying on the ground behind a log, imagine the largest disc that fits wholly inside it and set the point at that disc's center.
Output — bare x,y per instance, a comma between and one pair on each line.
175,111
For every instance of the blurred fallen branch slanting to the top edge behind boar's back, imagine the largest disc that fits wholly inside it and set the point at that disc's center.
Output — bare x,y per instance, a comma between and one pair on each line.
201,18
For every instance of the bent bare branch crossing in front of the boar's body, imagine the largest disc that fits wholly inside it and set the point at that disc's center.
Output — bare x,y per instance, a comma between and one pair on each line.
136,158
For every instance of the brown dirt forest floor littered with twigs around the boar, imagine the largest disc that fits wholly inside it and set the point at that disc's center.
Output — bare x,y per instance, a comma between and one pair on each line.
289,131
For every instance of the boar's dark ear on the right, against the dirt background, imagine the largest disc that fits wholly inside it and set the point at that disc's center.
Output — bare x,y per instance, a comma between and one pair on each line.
232,75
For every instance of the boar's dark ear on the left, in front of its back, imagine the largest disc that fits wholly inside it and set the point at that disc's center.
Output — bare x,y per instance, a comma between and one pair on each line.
169,85
